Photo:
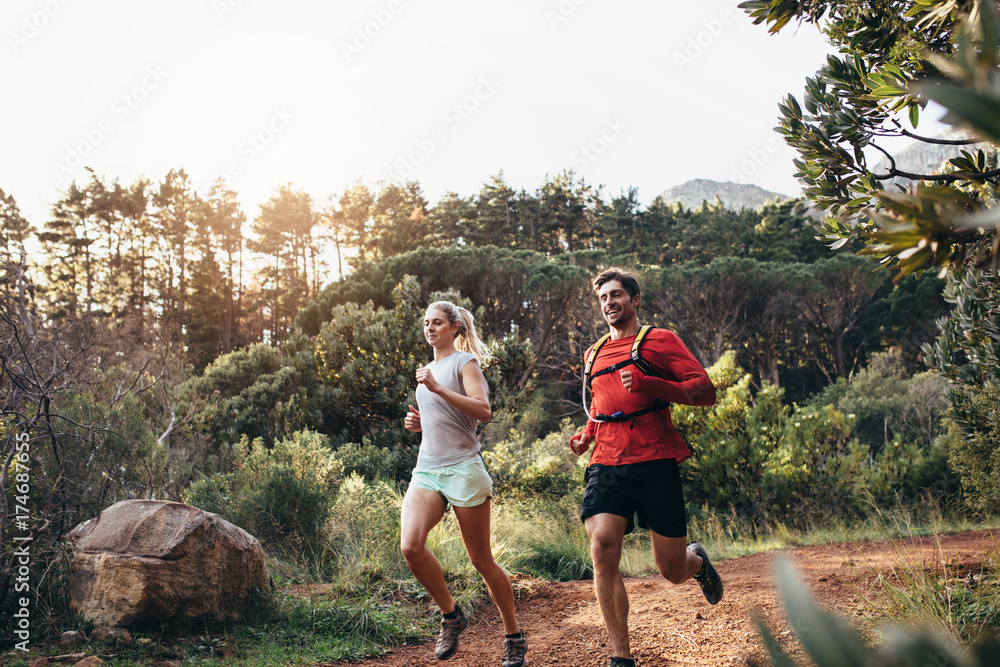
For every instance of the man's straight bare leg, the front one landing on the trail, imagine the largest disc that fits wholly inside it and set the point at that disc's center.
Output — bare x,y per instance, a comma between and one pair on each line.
606,533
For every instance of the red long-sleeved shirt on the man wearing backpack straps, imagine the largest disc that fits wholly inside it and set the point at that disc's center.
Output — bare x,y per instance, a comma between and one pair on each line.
651,436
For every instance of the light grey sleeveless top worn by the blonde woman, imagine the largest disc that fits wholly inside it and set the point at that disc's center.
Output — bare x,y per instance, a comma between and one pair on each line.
448,436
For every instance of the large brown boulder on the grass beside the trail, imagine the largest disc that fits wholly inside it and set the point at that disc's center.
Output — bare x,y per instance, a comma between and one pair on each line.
155,562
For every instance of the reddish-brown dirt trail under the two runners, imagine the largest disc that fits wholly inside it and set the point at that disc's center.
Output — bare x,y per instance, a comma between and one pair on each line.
674,625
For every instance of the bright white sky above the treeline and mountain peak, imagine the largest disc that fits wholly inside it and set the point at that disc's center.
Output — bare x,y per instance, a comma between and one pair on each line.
319,94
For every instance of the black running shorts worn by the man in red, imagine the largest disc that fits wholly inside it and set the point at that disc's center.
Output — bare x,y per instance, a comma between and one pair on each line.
651,489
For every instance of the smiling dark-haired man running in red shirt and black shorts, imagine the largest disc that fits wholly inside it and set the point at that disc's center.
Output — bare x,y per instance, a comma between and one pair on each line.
634,466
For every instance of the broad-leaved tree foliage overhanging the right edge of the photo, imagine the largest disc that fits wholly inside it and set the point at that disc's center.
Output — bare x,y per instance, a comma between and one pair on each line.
894,58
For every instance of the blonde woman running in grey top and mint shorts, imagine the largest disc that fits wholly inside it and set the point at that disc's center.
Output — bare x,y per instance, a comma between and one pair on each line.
452,395
